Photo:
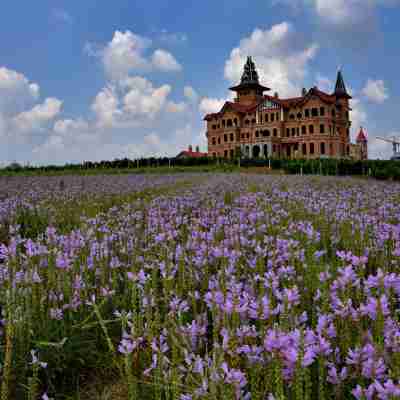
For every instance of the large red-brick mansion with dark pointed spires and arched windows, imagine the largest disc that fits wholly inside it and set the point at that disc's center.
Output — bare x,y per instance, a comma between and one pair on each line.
313,125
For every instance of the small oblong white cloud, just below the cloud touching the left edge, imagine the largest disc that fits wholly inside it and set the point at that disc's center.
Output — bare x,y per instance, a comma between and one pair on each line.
38,116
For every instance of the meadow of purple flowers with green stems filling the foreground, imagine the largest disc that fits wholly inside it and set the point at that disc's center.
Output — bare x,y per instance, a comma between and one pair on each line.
201,287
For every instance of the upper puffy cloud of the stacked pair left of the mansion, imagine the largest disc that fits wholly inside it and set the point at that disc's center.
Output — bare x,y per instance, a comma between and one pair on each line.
127,52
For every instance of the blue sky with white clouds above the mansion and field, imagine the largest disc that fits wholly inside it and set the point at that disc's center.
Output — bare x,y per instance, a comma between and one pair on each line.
90,80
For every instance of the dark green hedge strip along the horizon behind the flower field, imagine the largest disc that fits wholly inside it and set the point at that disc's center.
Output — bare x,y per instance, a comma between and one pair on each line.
380,169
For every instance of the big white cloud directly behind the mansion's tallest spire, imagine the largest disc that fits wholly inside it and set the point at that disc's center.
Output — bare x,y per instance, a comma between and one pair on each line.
281,58
